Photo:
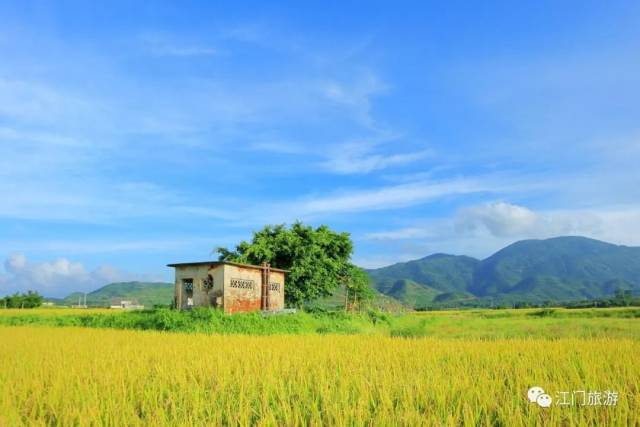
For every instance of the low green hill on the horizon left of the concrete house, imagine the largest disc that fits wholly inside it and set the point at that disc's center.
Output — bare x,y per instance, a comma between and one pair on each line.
146,293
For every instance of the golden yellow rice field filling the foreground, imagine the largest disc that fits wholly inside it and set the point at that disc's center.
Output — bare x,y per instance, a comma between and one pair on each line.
74,376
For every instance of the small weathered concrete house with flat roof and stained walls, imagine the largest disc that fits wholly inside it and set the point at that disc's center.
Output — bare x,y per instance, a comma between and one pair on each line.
231,286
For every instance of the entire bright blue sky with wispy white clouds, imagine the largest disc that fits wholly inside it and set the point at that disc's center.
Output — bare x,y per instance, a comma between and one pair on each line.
135,136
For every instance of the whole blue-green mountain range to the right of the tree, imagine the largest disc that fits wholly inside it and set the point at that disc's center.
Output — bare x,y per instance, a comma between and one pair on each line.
558,269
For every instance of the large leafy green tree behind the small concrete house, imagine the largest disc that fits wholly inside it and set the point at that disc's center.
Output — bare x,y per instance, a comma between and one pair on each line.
318,259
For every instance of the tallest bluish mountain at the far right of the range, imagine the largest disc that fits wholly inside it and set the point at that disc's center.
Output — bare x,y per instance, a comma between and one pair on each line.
558,268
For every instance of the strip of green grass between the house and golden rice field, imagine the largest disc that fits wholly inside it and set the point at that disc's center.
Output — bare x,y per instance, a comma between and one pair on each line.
459,324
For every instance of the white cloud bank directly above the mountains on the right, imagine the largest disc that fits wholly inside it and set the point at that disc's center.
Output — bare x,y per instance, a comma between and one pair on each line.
480,230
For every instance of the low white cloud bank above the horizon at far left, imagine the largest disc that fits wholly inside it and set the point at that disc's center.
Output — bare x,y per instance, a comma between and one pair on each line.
58,277
